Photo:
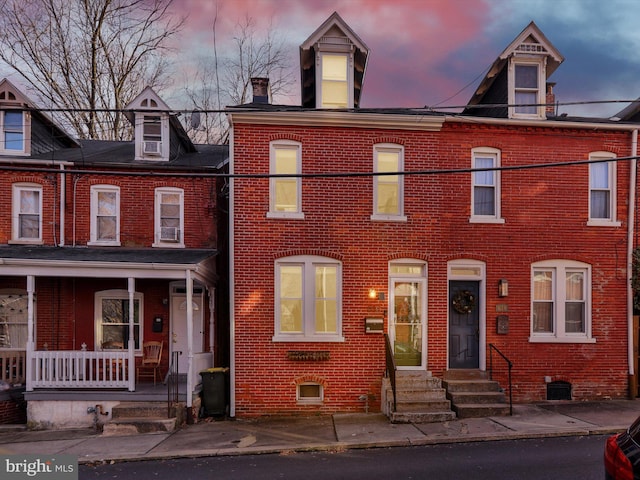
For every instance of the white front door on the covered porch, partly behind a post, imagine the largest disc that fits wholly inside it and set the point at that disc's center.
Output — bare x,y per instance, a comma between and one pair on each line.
178,337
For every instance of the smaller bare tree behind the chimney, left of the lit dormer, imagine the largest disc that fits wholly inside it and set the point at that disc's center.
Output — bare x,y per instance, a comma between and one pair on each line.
227,81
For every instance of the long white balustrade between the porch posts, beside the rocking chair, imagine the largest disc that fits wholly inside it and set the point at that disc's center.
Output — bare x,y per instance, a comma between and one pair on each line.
80,369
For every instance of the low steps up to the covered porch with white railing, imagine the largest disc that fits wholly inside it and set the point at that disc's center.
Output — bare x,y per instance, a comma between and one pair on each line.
132,418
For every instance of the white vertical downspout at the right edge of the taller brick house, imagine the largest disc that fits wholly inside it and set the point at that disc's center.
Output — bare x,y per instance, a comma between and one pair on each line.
630,226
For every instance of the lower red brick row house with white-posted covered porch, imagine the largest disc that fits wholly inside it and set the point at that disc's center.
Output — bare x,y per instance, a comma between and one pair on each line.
104,246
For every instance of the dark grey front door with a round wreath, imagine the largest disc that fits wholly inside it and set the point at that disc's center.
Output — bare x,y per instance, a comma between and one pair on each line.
464,324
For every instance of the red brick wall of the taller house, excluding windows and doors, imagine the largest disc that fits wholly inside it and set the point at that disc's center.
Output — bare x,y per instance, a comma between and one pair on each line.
545,212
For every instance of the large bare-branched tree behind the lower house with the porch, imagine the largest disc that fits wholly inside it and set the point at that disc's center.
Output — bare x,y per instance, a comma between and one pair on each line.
87,59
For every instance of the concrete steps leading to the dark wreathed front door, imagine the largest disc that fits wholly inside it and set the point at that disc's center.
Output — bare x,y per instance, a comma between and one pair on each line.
472,395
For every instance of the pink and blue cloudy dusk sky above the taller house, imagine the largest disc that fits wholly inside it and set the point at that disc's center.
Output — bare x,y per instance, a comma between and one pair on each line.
435,52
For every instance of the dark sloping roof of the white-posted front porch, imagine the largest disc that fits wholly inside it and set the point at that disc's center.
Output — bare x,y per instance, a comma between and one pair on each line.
168,256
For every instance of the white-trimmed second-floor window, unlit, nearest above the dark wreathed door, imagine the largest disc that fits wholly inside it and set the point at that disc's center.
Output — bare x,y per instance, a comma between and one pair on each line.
485,188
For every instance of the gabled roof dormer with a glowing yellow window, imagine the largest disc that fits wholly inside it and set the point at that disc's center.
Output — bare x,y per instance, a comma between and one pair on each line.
333,61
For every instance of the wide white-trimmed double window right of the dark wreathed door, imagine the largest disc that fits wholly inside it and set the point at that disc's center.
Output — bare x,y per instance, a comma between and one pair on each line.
561,302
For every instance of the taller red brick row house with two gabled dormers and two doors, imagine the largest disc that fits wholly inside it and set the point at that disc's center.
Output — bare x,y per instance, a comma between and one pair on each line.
459,240
